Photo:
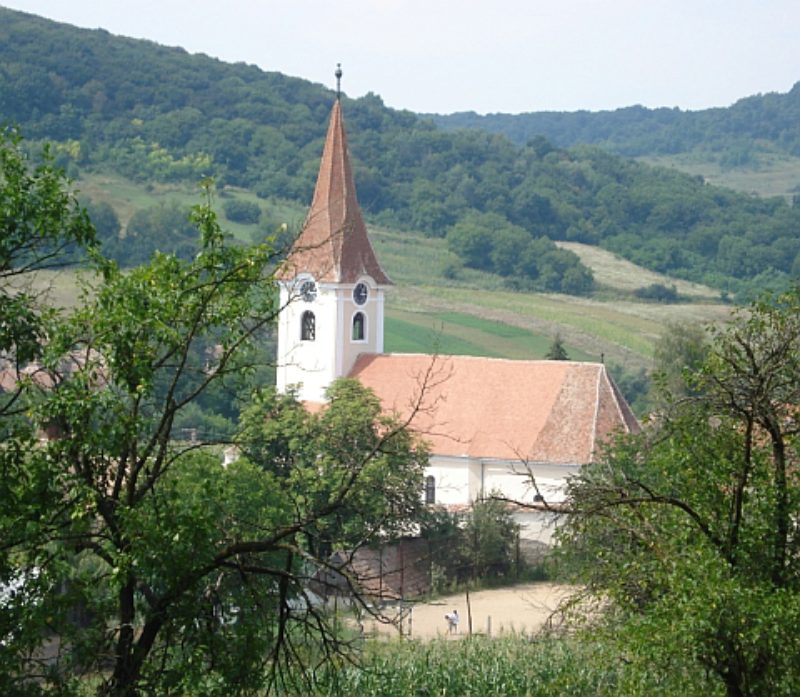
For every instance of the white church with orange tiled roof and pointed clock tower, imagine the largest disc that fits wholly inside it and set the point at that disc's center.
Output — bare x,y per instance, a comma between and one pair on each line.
514,427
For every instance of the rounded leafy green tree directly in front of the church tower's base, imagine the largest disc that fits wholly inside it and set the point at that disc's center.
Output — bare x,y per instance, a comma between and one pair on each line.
313,455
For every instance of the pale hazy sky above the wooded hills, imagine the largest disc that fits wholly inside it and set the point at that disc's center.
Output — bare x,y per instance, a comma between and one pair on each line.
482,55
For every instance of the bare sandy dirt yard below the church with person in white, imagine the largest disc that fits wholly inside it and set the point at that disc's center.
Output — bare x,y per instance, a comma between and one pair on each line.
521,608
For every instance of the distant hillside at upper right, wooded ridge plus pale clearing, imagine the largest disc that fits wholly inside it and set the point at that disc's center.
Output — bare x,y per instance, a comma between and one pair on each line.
752,146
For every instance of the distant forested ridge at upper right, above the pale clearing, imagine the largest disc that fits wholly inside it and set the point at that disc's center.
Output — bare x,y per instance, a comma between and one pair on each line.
770,120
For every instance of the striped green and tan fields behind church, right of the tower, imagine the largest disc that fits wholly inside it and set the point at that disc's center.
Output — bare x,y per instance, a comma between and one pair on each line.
622,329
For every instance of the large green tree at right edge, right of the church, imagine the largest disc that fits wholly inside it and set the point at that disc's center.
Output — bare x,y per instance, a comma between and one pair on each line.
688,532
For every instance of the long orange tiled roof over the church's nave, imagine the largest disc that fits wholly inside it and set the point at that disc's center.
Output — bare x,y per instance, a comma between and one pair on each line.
539,411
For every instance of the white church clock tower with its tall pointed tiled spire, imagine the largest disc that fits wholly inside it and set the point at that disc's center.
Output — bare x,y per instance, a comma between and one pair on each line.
331,285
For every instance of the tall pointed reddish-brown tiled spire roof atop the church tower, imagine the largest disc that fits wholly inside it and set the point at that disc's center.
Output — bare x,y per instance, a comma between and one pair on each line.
333,245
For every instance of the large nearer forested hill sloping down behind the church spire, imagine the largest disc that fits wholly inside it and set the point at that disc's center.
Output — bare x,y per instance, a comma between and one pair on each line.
159,114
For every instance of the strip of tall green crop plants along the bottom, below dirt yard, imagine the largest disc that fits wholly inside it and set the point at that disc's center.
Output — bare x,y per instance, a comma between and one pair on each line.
512,666
